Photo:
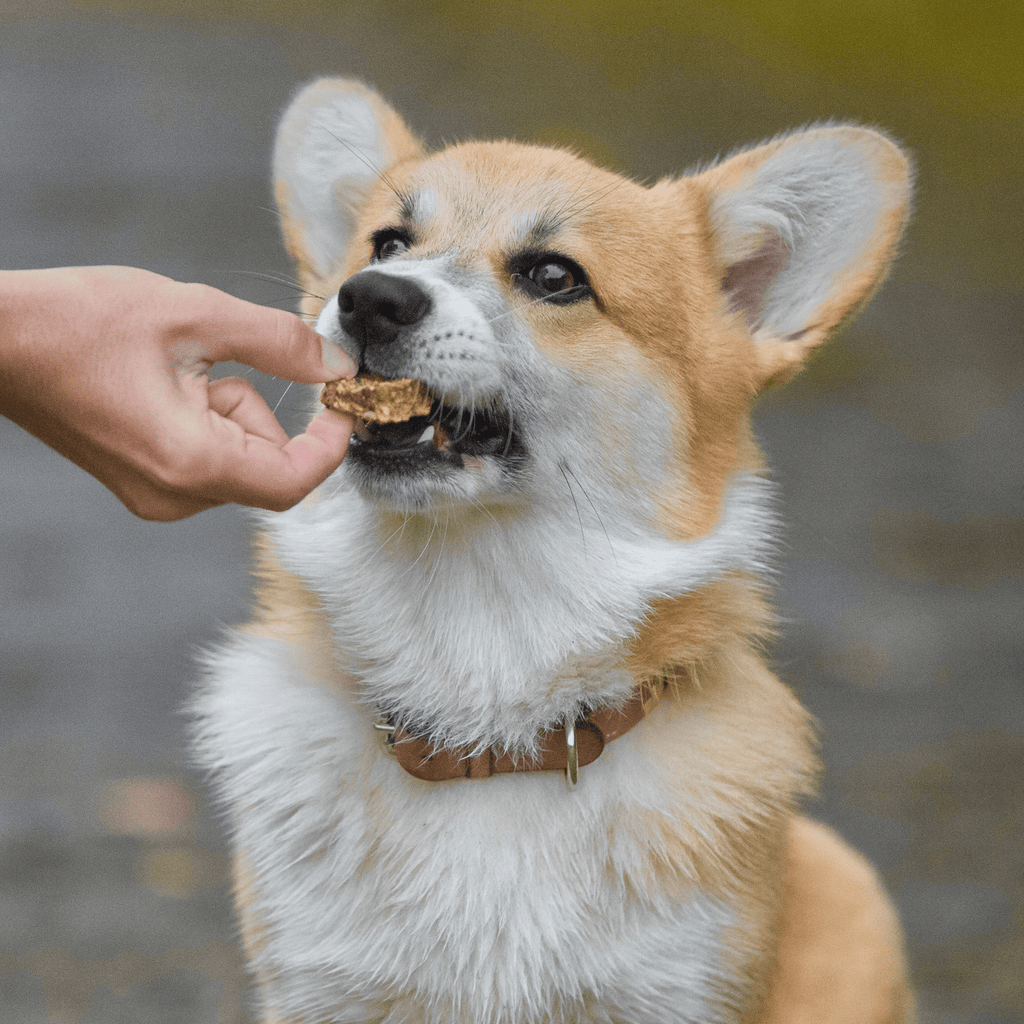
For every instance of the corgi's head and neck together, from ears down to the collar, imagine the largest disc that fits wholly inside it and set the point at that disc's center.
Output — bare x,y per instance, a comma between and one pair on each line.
583,505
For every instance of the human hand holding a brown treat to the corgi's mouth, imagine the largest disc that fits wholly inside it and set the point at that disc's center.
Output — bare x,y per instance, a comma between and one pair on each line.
109,366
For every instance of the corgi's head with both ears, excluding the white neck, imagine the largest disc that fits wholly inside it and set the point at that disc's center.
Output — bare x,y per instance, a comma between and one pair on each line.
575,327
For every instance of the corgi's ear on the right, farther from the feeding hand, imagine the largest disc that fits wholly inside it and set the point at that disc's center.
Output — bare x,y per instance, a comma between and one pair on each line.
804,229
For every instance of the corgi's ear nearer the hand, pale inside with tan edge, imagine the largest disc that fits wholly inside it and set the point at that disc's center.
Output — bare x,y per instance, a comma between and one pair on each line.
337,138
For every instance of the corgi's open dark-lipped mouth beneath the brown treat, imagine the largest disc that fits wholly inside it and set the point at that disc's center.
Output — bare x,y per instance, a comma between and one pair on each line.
450,438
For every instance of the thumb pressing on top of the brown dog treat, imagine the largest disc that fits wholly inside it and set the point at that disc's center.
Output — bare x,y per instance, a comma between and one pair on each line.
274,342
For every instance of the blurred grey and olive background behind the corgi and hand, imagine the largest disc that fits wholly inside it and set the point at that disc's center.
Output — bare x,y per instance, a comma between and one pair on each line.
140,133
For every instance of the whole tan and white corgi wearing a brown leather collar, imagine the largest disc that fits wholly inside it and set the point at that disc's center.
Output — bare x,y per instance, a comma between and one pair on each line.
500,744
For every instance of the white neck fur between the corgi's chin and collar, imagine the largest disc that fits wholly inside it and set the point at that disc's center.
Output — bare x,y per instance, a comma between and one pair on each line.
488,641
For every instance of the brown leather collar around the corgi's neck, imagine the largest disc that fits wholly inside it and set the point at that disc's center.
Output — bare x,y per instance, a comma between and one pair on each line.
419,758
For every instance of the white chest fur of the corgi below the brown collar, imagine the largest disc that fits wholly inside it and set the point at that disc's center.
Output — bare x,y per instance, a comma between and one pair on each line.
389,899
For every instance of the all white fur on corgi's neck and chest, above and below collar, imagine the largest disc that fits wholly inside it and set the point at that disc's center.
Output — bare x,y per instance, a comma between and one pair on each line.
507,900
